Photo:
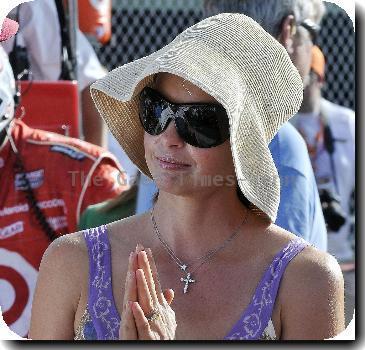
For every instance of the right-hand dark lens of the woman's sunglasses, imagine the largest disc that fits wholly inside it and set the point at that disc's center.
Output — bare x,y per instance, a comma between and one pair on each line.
204,126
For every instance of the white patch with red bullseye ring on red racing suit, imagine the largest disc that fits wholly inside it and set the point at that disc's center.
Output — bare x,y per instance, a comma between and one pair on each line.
17,284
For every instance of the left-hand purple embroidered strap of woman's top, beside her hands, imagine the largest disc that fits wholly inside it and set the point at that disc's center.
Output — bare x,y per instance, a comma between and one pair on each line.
101,304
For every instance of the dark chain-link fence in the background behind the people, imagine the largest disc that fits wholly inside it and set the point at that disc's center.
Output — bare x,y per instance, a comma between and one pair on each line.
140,27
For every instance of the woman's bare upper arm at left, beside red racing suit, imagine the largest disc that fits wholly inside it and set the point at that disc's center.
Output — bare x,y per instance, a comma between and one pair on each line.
58,289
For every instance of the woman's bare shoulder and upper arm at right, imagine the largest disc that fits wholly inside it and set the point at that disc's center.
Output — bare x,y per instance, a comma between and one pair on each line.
312,298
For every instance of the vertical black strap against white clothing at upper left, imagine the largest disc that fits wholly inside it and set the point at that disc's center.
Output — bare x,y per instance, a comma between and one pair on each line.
68,66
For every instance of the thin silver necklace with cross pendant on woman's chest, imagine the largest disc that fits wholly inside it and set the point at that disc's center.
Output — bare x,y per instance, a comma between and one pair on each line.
198,261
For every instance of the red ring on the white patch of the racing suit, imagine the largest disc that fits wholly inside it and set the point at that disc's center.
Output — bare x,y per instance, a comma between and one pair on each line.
21,296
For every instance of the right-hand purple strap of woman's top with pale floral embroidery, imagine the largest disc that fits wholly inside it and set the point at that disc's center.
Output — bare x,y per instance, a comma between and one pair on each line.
258,313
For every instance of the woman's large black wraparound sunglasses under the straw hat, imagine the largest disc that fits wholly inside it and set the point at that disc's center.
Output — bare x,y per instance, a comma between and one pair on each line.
202,125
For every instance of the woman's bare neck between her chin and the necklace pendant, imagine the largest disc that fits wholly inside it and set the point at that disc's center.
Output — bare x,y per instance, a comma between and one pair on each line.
193,225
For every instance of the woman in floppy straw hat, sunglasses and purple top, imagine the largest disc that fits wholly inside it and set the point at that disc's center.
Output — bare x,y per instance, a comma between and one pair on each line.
197,116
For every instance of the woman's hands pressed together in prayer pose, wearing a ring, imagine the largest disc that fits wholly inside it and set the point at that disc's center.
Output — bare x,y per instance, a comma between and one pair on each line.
147,314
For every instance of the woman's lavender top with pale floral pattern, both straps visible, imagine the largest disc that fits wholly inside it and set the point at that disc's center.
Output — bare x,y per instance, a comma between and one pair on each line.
101,319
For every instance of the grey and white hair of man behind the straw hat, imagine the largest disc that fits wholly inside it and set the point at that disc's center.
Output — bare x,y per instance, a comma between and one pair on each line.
268,13
